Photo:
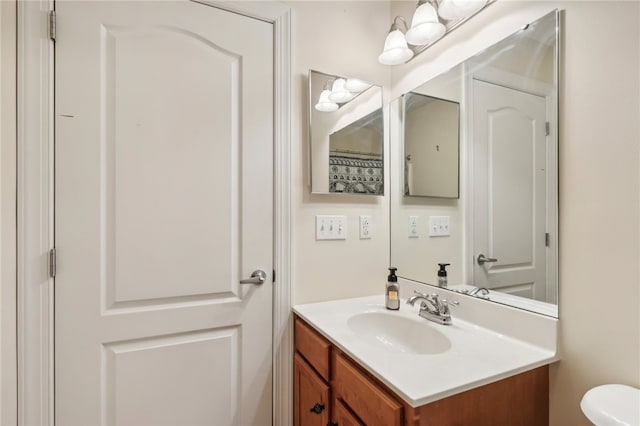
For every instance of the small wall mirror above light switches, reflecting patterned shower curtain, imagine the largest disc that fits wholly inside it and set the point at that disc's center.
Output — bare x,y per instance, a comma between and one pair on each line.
346,135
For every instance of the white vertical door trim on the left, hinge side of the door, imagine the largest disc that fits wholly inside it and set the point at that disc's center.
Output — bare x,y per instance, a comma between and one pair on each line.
34,214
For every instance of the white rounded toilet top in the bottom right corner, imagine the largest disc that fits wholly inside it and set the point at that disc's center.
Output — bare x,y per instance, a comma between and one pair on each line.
612,405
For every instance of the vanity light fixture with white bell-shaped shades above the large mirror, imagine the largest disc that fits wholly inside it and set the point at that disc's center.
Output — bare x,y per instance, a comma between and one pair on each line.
431,20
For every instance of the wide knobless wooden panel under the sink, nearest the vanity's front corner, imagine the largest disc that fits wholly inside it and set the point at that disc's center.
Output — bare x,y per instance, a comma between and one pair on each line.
369,402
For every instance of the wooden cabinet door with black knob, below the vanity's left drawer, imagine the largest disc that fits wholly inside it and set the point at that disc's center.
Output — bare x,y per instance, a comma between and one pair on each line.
311,396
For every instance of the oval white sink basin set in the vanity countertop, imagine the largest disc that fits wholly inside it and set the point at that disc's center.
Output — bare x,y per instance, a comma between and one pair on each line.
398,333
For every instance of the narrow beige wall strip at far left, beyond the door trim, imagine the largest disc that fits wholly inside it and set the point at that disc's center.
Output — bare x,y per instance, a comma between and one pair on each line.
8,367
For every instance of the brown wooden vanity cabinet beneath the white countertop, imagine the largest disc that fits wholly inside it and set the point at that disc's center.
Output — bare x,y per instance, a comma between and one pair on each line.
351,396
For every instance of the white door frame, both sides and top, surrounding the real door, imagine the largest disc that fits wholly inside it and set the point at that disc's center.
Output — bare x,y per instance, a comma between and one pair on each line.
35,237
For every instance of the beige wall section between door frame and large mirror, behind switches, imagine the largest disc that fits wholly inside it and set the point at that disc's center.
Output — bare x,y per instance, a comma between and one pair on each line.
341,38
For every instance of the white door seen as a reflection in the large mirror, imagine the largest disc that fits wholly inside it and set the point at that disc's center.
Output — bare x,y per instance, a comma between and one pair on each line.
509,190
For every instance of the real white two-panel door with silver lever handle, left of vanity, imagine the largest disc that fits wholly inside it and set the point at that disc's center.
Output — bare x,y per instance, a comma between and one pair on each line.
164,145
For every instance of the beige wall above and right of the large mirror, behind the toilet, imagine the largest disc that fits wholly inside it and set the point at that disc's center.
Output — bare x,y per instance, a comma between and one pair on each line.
599,162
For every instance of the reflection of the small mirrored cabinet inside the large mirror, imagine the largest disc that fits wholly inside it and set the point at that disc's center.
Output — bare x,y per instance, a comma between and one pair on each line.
431,140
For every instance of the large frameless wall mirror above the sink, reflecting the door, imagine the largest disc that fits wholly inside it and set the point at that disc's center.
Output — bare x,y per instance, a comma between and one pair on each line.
502,233
